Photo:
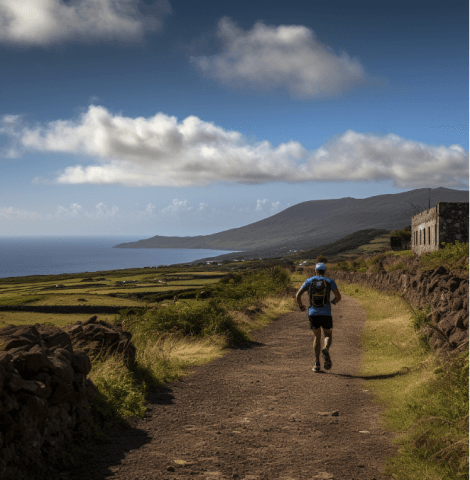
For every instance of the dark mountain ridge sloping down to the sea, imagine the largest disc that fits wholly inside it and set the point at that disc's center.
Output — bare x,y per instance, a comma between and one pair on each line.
313,222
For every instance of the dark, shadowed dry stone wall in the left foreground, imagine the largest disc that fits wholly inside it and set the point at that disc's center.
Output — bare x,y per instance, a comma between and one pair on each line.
45,392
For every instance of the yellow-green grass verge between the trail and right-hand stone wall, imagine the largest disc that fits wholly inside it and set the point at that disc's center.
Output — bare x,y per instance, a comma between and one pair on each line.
425,397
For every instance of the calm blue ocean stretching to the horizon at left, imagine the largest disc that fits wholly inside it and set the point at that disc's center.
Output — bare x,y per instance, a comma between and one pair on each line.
20,256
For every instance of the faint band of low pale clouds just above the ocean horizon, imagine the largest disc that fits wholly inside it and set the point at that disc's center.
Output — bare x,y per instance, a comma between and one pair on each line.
165,218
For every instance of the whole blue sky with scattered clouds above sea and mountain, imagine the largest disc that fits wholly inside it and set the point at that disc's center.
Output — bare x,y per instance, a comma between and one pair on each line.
186,118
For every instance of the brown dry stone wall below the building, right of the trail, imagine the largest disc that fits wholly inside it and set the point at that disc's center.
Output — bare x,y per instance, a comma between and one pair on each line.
446,294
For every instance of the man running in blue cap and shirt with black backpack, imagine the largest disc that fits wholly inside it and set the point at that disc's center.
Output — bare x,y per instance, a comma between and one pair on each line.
319,312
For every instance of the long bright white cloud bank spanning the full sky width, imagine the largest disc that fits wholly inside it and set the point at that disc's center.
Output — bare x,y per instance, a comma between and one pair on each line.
162,151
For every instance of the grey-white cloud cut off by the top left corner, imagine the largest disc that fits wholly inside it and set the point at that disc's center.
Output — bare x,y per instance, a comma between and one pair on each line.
45,22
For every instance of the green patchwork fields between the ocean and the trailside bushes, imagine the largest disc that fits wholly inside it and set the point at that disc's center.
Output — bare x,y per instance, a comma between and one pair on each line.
119,288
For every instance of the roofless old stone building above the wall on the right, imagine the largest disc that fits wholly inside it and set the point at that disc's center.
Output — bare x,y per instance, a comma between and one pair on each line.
446,222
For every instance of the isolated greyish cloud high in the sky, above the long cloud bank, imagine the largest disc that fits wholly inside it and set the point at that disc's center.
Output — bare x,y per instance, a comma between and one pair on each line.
286,56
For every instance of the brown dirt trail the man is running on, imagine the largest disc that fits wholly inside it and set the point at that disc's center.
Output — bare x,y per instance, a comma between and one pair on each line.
260,413
